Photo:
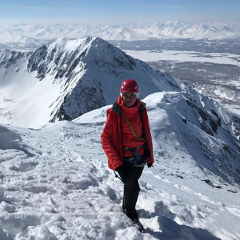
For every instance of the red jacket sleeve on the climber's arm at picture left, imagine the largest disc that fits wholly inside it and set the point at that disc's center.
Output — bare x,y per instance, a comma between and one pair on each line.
107,143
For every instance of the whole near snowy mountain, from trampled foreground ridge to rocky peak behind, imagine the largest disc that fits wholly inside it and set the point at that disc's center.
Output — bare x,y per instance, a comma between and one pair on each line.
55,183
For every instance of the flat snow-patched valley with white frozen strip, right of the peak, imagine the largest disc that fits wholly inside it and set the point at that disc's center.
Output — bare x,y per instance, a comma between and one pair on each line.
211,67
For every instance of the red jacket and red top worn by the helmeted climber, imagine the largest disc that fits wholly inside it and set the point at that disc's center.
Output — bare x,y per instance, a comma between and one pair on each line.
117,132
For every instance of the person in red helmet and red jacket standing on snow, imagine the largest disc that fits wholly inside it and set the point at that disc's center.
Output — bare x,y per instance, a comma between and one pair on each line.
127,142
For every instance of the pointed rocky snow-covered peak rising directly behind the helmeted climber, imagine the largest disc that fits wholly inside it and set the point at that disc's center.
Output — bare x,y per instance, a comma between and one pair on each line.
67,79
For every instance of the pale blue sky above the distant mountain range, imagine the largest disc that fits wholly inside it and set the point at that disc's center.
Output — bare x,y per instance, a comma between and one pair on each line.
117,12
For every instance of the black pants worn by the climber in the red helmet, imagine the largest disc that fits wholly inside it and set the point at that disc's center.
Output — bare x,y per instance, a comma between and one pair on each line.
131,191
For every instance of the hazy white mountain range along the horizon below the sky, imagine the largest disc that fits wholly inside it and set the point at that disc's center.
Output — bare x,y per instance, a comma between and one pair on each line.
22,36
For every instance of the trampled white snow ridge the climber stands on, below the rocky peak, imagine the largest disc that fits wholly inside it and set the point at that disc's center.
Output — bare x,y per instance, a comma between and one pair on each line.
55,183
